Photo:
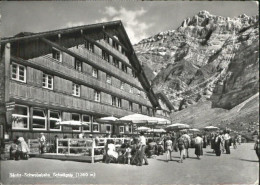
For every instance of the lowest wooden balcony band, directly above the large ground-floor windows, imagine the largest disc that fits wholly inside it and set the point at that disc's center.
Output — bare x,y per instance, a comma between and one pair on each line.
42,97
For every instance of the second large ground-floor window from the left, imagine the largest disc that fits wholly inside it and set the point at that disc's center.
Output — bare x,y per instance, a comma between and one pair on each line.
39,119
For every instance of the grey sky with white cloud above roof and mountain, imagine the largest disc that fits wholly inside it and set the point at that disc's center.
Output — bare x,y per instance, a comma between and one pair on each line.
141,19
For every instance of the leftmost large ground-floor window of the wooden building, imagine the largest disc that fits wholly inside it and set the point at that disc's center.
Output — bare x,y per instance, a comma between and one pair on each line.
20,117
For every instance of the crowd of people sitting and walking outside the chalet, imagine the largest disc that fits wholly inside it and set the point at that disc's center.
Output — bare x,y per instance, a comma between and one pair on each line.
137,149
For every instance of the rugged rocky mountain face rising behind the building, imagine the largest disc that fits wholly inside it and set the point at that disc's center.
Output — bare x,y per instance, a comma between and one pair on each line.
207,58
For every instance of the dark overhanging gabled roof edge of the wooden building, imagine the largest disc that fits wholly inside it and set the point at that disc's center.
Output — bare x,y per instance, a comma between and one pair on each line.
118,26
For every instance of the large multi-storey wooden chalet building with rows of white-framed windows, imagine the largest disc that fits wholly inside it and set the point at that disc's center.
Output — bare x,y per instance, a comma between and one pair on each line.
80,73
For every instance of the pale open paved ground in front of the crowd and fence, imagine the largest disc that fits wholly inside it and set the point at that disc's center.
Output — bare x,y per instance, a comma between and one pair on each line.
241,167
